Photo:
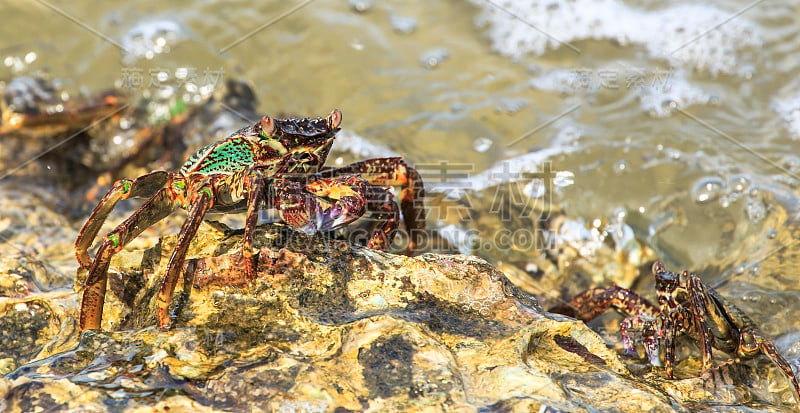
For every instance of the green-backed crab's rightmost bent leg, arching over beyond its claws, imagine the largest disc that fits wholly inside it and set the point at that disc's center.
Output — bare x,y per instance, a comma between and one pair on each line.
395,172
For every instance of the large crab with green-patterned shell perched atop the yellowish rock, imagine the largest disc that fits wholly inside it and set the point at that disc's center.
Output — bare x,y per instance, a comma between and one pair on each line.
274,163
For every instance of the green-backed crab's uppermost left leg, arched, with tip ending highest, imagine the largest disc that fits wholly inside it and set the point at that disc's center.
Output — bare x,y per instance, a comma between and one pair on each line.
143,187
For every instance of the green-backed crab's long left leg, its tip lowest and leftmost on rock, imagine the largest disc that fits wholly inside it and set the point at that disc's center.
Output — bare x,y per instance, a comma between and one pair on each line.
155,209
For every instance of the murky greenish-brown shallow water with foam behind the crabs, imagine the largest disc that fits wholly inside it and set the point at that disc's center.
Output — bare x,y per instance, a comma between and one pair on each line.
682,119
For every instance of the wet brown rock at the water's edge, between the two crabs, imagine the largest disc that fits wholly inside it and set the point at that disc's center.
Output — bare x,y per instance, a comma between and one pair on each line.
538,246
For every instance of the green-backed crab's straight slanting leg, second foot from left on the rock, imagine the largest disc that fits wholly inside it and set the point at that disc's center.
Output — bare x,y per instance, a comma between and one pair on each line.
200,205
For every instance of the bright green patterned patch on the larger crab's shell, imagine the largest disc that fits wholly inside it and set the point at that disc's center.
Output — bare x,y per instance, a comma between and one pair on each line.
227,156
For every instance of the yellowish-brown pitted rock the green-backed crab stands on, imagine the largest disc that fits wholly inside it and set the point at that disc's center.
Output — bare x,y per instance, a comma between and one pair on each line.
325,327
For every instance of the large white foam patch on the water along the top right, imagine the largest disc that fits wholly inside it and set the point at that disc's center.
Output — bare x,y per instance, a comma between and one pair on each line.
698,36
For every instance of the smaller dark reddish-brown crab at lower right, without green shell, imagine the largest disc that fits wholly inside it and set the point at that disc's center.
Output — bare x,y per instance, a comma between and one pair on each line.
686,306
